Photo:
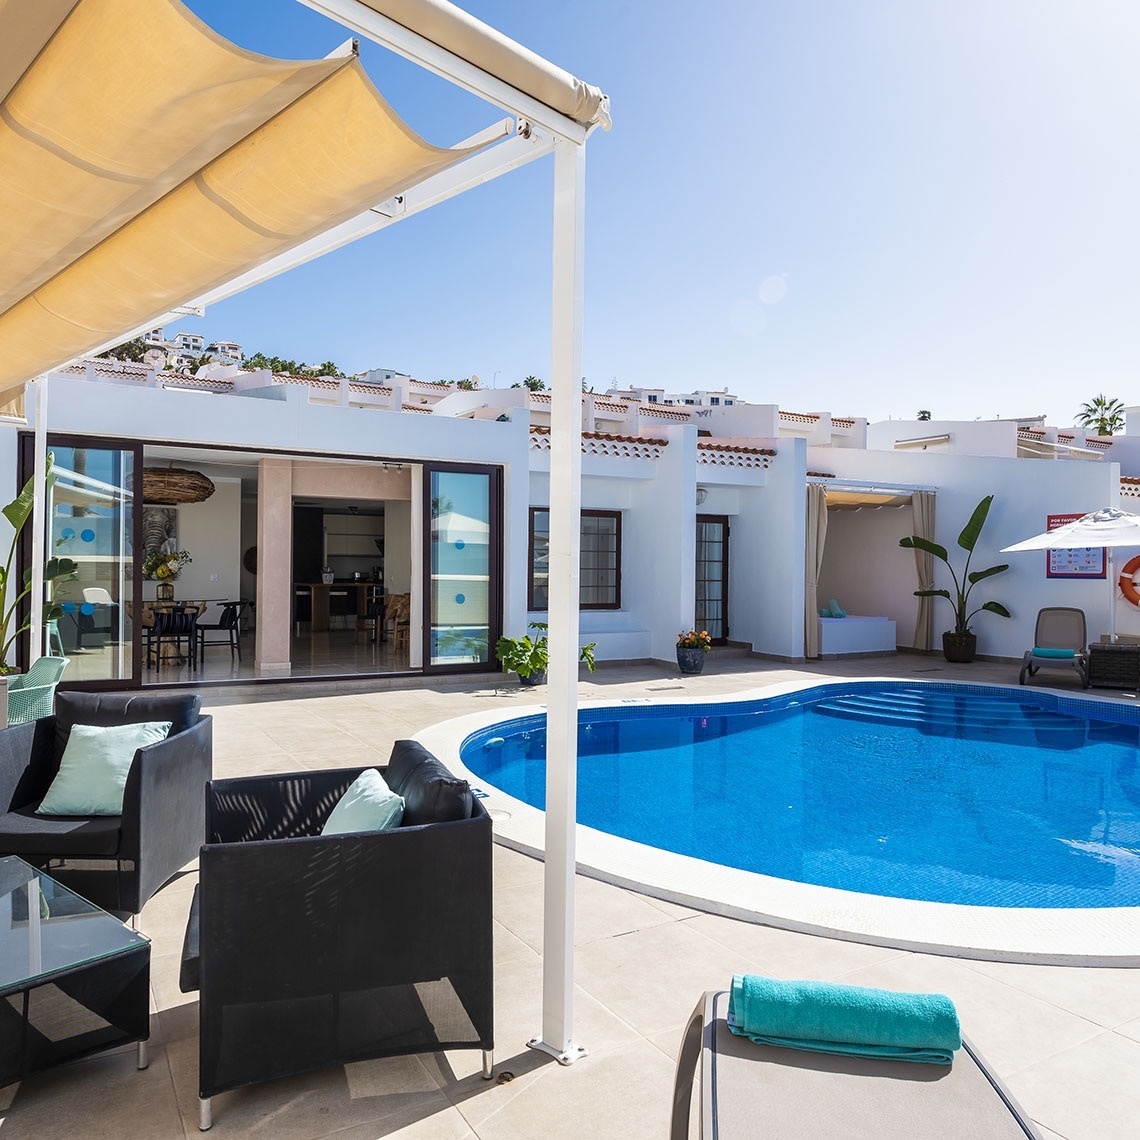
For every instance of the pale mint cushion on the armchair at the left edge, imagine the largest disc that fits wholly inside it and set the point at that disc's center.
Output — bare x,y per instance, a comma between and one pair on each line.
96,762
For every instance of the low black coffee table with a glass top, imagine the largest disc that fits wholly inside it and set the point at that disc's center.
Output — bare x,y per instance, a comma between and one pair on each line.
74,980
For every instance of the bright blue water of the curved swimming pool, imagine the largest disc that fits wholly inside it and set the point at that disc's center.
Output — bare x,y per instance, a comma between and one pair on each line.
955,794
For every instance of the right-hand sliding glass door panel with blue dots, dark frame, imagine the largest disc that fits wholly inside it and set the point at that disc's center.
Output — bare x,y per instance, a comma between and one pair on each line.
462,566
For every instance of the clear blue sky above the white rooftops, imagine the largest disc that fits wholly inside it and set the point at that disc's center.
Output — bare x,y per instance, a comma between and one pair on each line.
867,207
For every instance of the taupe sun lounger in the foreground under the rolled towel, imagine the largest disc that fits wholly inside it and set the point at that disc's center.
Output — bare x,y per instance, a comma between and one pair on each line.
751,1090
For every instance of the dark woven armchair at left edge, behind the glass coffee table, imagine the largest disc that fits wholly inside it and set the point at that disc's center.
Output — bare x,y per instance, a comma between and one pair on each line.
117,862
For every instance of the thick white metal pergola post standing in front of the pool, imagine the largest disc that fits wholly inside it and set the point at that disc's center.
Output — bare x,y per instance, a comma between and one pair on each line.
563,695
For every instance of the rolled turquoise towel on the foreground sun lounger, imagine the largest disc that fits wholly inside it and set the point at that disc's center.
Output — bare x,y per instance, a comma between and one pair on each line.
851,1021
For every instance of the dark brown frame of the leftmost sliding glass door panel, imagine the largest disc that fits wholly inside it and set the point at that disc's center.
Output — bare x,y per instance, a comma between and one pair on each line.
27,469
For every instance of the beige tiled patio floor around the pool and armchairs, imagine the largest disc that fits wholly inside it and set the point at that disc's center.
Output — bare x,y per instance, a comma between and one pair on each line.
1066,1040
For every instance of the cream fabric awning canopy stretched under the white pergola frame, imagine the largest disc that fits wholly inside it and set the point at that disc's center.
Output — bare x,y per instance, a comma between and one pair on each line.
145,161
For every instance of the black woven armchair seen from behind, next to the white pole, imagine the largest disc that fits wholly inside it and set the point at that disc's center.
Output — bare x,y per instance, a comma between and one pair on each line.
312,950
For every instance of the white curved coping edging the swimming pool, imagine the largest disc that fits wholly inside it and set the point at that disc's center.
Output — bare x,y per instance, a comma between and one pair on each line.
1086,937
